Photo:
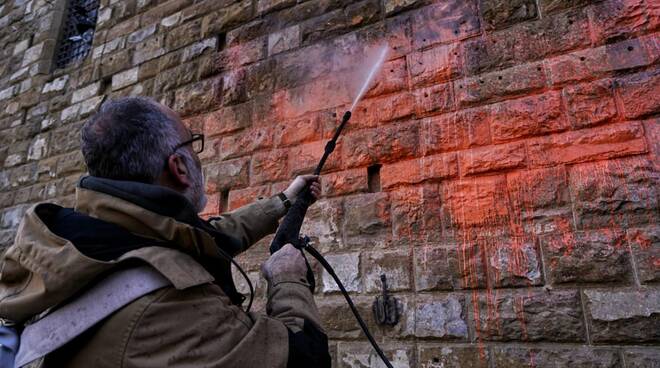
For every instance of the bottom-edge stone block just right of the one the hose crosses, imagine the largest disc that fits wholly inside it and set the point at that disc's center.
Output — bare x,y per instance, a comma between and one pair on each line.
444,356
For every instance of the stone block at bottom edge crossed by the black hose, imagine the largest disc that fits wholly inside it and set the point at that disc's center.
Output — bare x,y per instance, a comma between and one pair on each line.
360,355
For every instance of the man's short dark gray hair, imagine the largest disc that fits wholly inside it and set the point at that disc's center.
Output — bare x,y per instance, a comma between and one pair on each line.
130,139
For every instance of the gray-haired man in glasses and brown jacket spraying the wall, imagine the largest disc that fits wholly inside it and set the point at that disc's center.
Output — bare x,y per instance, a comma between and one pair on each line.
139,206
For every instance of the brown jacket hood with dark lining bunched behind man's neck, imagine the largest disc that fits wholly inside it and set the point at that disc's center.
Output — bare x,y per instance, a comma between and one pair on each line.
58,252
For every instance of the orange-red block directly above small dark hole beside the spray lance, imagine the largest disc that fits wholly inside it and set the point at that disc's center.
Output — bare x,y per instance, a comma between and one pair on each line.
386,144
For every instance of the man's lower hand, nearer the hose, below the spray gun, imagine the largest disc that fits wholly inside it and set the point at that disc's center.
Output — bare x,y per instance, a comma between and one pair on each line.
287,264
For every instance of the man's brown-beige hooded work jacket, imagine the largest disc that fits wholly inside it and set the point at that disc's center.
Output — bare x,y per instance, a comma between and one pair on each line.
189,324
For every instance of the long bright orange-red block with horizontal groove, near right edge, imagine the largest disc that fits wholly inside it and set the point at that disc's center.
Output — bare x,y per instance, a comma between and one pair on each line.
623,139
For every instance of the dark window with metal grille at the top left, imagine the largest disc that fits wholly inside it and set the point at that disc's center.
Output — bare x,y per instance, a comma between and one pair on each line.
77,33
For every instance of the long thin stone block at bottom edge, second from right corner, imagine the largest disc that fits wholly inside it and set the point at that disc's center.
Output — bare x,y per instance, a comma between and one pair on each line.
519,357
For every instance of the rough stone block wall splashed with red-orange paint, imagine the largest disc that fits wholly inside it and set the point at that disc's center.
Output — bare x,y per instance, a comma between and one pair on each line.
503,171
